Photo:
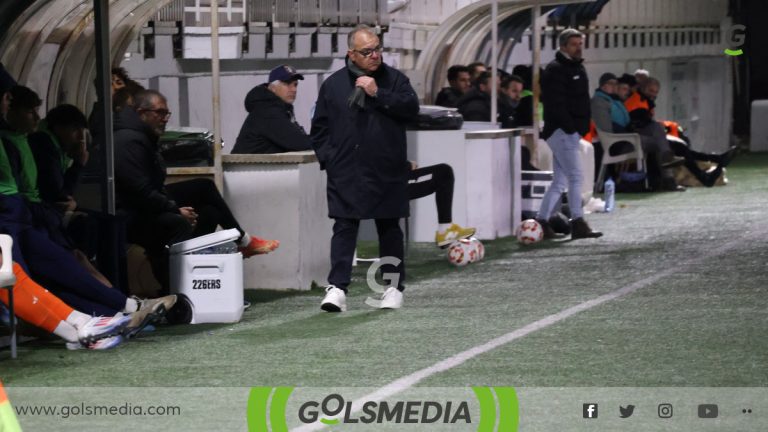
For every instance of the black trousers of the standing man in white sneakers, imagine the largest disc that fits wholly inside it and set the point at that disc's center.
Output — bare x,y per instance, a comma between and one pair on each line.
343,245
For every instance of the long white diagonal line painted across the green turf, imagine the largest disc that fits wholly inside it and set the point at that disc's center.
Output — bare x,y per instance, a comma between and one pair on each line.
408,381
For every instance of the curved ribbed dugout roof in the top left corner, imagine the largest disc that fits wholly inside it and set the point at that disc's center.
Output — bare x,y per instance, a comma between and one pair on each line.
49,45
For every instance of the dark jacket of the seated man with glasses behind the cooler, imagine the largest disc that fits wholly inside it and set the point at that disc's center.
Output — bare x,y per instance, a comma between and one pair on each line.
139,168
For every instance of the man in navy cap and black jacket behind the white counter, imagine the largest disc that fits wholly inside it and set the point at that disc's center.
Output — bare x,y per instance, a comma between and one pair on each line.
271,126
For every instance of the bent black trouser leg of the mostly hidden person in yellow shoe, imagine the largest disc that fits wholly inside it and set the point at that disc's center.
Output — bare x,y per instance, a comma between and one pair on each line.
441,184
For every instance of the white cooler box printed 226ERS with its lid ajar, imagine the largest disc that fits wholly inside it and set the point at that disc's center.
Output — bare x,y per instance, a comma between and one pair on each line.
213,283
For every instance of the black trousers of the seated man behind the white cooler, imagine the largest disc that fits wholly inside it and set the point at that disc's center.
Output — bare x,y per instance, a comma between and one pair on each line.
156,232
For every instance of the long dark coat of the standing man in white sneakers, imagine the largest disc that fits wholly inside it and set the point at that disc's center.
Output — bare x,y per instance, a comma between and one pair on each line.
363,150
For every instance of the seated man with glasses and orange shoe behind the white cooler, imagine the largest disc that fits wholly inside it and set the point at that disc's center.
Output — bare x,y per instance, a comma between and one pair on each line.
160,215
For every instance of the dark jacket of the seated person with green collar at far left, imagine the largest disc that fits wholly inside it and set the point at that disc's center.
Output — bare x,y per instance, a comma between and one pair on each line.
54,181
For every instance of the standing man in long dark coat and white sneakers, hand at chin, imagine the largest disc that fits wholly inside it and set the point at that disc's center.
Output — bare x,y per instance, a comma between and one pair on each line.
358,133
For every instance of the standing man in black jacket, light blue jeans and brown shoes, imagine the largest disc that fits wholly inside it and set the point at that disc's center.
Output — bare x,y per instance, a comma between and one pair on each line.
565,92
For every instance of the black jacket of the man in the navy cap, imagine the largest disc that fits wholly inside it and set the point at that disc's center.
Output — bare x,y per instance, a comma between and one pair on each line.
270,127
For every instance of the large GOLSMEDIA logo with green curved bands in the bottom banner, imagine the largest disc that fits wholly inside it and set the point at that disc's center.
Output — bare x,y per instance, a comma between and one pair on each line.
267,410
